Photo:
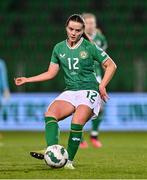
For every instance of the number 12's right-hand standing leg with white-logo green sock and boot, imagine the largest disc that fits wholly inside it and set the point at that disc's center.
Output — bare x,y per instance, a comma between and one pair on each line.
80,117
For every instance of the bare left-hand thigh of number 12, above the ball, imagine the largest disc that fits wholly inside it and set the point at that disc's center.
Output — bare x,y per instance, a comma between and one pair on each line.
60,109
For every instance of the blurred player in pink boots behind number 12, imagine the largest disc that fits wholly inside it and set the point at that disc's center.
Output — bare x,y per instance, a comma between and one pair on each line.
95,34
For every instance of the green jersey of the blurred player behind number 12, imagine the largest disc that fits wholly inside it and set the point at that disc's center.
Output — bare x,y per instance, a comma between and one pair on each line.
100,40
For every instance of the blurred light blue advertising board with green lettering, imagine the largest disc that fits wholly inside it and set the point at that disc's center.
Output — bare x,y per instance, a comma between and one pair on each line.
123,111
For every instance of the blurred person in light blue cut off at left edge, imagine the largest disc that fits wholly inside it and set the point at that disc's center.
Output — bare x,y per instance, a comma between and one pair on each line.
4,88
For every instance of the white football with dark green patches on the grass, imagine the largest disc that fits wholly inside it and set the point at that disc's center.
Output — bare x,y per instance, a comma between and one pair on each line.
56,156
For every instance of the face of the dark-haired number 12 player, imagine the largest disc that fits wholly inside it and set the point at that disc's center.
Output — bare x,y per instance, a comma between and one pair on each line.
74,31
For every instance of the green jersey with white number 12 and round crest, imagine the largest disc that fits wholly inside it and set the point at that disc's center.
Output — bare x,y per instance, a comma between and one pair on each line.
78,63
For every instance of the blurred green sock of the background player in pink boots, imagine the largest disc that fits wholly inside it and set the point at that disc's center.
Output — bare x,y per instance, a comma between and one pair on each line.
96,122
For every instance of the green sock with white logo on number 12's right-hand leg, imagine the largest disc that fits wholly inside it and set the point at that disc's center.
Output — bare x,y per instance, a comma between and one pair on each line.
74,140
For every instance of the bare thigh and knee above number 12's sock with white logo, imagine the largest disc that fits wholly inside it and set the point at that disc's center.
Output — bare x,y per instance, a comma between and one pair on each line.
82,114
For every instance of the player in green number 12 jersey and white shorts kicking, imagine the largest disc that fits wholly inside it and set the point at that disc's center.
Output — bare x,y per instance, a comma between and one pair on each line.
76,56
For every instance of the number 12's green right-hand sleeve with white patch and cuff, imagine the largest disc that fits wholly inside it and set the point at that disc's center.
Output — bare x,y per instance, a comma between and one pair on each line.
98,54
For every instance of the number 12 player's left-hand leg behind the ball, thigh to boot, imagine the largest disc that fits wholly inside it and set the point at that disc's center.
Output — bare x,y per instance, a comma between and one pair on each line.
58,110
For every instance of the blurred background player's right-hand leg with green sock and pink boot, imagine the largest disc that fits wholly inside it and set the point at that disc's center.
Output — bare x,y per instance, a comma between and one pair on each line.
94,135
